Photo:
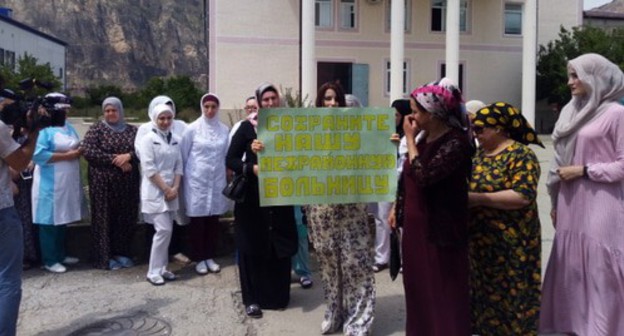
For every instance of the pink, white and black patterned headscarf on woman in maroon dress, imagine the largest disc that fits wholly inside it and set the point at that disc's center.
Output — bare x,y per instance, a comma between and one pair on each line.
443,99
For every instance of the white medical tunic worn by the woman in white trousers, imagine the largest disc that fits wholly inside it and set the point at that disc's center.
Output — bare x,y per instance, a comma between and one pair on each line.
158,156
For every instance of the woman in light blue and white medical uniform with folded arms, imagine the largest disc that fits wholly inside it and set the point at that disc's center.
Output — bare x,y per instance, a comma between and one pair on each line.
56,190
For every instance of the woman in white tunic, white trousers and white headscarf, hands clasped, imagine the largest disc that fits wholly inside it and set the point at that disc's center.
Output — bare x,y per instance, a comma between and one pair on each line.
161,164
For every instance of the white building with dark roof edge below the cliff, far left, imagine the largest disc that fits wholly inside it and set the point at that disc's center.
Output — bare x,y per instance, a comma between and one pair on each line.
17,39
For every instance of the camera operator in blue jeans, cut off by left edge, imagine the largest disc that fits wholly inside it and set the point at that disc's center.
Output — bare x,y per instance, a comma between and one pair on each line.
11,241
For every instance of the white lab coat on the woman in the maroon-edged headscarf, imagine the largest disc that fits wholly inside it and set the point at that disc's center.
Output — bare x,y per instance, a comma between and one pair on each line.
204,147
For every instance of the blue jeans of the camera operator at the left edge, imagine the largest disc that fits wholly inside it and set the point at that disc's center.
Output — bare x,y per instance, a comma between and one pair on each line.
11,255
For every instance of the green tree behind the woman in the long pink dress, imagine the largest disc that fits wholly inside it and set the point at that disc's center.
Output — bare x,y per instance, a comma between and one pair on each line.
552,61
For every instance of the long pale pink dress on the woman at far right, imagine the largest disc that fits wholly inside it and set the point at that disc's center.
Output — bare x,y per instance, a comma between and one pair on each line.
583,291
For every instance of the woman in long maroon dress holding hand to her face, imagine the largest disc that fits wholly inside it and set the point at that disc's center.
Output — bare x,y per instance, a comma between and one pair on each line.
433,199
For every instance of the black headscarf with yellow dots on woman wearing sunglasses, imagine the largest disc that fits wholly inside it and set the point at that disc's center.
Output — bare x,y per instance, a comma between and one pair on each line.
507,118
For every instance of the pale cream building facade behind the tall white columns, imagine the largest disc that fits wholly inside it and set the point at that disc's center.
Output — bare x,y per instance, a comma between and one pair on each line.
253,41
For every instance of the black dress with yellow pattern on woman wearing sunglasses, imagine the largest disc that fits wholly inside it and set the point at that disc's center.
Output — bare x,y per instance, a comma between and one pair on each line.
505,246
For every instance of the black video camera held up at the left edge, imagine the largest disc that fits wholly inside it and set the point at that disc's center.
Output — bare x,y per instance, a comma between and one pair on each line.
30,111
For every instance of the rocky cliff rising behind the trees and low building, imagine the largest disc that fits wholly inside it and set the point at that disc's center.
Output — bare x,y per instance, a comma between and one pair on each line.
119,42
